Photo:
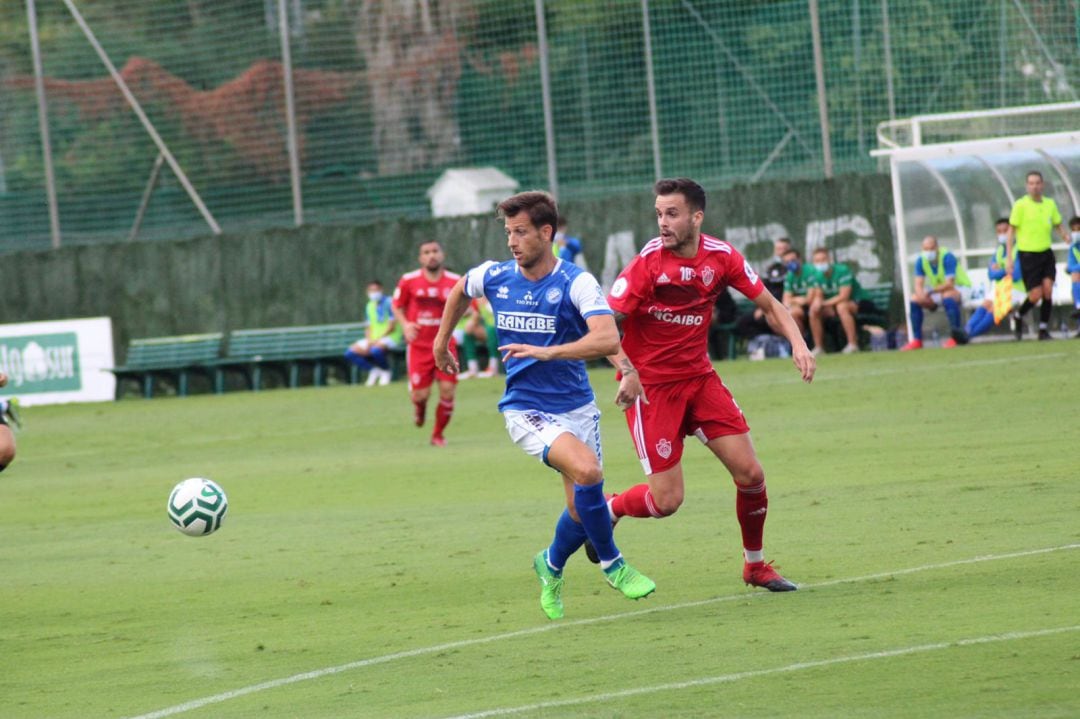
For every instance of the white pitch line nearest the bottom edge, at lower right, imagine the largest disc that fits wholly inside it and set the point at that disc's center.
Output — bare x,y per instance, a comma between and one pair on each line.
504,712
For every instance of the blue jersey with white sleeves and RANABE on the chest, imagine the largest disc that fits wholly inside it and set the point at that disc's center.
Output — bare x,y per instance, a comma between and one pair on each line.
547,313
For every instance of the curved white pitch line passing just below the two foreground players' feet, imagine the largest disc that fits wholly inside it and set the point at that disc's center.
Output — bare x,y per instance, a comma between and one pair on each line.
317,674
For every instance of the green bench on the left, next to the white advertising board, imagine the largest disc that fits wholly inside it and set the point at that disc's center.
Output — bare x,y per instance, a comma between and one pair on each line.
173,358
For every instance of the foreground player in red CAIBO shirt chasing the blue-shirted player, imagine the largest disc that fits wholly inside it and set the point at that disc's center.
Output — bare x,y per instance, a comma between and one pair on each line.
664,303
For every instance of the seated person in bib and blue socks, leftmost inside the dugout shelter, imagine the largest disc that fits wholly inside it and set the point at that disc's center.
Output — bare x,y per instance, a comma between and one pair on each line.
940,280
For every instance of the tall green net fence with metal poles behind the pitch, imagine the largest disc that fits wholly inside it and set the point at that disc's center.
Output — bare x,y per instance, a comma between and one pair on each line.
390,93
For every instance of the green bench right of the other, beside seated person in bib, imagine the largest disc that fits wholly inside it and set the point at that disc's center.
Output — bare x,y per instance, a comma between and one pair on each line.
287,351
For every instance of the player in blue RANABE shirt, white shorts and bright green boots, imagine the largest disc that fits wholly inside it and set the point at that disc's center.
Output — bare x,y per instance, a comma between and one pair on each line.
550,317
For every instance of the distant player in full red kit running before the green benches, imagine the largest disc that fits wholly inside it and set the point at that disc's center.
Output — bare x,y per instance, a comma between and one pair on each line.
418,306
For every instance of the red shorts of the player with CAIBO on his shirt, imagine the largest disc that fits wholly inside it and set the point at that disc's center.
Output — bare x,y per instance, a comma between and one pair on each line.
700,406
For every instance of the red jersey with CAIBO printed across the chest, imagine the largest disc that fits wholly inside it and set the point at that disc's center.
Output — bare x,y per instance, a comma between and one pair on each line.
669,305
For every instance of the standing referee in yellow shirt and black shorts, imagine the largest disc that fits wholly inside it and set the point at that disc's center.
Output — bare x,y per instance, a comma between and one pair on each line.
1031,227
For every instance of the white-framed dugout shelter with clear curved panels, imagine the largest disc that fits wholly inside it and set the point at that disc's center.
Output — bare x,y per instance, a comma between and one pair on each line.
954,174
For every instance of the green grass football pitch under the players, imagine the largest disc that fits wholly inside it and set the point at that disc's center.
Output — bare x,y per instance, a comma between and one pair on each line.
928,504
